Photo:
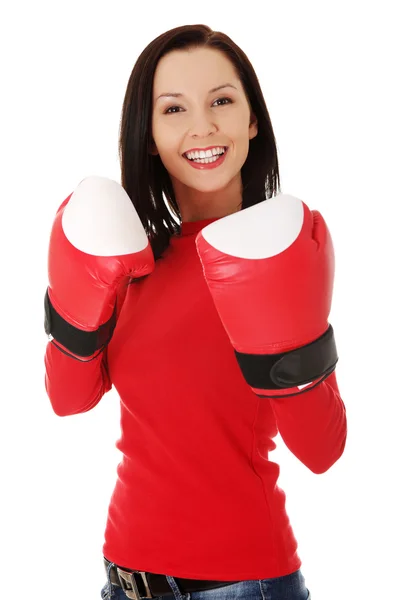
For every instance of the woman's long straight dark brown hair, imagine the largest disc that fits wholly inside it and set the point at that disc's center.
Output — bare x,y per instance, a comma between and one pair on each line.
143,175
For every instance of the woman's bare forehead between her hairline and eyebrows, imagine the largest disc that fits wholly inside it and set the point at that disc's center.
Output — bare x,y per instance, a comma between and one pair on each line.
193,69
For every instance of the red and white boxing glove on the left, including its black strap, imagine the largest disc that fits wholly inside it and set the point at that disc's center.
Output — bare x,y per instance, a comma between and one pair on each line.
97,241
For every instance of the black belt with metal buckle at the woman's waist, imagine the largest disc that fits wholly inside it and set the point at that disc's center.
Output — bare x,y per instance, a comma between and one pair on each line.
141,584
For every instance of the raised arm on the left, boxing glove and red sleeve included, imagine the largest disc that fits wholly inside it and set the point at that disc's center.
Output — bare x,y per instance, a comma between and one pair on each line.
97,244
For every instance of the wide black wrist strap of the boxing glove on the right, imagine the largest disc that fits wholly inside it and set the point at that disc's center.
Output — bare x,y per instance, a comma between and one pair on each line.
293,368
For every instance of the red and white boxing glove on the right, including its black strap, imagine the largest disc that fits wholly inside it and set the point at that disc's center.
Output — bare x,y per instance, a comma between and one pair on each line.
270,270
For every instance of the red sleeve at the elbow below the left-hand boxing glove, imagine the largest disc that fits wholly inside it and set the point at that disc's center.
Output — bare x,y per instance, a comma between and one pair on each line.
75,387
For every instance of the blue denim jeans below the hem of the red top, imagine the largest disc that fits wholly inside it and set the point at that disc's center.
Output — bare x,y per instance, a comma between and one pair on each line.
288,587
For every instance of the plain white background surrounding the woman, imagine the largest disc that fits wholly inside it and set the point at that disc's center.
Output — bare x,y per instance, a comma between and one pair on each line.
329,74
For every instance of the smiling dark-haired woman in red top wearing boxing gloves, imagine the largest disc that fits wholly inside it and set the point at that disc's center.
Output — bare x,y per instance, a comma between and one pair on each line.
196,512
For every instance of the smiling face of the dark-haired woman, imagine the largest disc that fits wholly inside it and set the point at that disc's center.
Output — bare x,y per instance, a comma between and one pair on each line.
192,116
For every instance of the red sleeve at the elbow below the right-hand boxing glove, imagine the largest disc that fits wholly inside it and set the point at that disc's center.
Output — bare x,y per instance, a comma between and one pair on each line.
313,424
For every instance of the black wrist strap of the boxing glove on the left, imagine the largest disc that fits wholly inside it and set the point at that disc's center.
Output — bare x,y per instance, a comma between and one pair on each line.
80,342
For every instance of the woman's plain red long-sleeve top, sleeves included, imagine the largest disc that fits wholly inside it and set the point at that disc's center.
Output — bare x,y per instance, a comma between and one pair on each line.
196,494
